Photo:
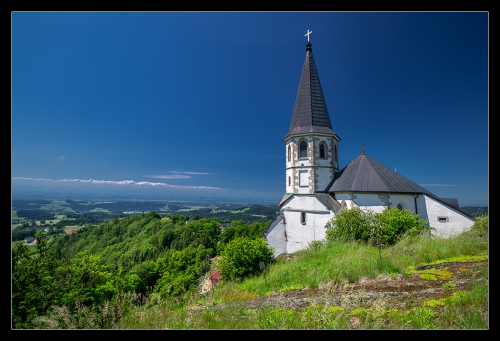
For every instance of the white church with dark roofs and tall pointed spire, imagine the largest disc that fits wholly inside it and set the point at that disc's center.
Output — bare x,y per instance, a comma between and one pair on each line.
317,189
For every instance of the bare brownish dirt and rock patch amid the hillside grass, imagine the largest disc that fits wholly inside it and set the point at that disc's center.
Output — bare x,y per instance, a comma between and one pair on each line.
402,292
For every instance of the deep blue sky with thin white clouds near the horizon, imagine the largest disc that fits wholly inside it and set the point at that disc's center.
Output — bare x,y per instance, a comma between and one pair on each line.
197,104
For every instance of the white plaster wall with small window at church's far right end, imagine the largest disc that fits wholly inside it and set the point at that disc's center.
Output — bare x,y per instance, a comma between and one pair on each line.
456,224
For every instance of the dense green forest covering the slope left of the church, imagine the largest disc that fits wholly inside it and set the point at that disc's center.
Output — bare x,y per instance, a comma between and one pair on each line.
142,254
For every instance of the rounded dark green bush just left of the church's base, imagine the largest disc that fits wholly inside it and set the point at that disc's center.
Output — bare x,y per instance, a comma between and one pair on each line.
241,257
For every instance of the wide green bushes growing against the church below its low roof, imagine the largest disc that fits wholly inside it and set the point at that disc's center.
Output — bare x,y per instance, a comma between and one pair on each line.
384,228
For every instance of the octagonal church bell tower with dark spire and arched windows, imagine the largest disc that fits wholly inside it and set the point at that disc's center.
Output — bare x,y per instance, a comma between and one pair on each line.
311,144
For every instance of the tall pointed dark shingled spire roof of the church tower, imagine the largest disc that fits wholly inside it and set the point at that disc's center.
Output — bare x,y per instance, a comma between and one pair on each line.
309,112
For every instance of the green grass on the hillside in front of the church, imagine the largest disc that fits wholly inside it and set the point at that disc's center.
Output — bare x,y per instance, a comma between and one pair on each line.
323,266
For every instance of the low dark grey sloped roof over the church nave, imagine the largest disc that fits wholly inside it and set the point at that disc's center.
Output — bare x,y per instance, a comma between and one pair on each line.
365,174
